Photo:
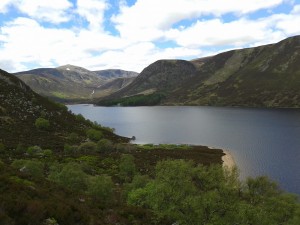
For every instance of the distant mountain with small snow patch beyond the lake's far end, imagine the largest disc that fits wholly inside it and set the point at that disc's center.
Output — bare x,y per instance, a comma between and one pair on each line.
69,83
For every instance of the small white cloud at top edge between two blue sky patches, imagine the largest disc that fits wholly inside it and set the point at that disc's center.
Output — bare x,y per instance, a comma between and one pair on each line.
92,11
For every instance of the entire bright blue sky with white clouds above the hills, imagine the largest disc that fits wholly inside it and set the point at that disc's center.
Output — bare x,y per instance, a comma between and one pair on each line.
131,34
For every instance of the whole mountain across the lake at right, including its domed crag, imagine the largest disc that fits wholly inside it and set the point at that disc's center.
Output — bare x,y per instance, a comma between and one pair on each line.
264,76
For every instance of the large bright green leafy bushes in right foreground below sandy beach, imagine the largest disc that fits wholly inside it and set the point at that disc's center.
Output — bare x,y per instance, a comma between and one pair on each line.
188,193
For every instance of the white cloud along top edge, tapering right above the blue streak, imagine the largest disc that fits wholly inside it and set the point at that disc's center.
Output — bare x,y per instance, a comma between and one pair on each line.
155,16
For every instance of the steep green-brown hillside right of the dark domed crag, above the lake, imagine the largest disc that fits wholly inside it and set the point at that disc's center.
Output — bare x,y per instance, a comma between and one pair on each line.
265,76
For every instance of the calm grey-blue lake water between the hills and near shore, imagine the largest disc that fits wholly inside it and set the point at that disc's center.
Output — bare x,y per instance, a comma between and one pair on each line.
262,141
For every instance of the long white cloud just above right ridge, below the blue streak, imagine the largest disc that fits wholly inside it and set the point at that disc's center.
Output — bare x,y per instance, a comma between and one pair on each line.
217,33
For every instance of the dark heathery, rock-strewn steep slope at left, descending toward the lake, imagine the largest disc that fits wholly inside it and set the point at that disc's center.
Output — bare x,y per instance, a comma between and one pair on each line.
20,107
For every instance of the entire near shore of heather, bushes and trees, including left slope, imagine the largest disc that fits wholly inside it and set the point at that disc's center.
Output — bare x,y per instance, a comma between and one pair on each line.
79,172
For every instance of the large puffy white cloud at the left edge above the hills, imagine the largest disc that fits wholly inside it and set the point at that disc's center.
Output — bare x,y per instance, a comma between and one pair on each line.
24,40
